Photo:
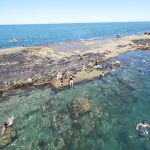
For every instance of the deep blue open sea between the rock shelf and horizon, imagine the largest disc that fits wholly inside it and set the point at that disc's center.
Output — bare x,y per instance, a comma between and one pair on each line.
31,35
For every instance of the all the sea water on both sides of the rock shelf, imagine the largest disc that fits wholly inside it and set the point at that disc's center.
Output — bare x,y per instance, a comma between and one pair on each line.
120,100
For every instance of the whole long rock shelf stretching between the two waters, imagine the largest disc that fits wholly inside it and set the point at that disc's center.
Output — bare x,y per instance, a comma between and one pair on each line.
32,66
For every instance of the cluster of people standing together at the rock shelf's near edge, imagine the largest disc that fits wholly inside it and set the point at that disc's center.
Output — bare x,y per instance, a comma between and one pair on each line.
63,76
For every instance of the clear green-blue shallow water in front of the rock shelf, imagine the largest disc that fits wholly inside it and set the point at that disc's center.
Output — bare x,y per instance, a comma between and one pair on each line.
120,101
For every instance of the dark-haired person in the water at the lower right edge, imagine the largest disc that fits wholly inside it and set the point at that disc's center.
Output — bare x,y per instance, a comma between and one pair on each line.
142,128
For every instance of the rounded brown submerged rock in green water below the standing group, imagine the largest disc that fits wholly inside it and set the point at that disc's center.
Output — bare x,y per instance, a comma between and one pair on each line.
79,107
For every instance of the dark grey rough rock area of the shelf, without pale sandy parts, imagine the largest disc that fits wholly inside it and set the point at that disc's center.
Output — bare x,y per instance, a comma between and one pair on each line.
23,69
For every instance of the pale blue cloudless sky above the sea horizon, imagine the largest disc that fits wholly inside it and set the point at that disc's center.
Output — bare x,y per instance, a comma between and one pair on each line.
73,11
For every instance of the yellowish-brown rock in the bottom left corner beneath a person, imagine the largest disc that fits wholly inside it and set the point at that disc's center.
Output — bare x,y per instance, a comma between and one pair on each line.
8,136
